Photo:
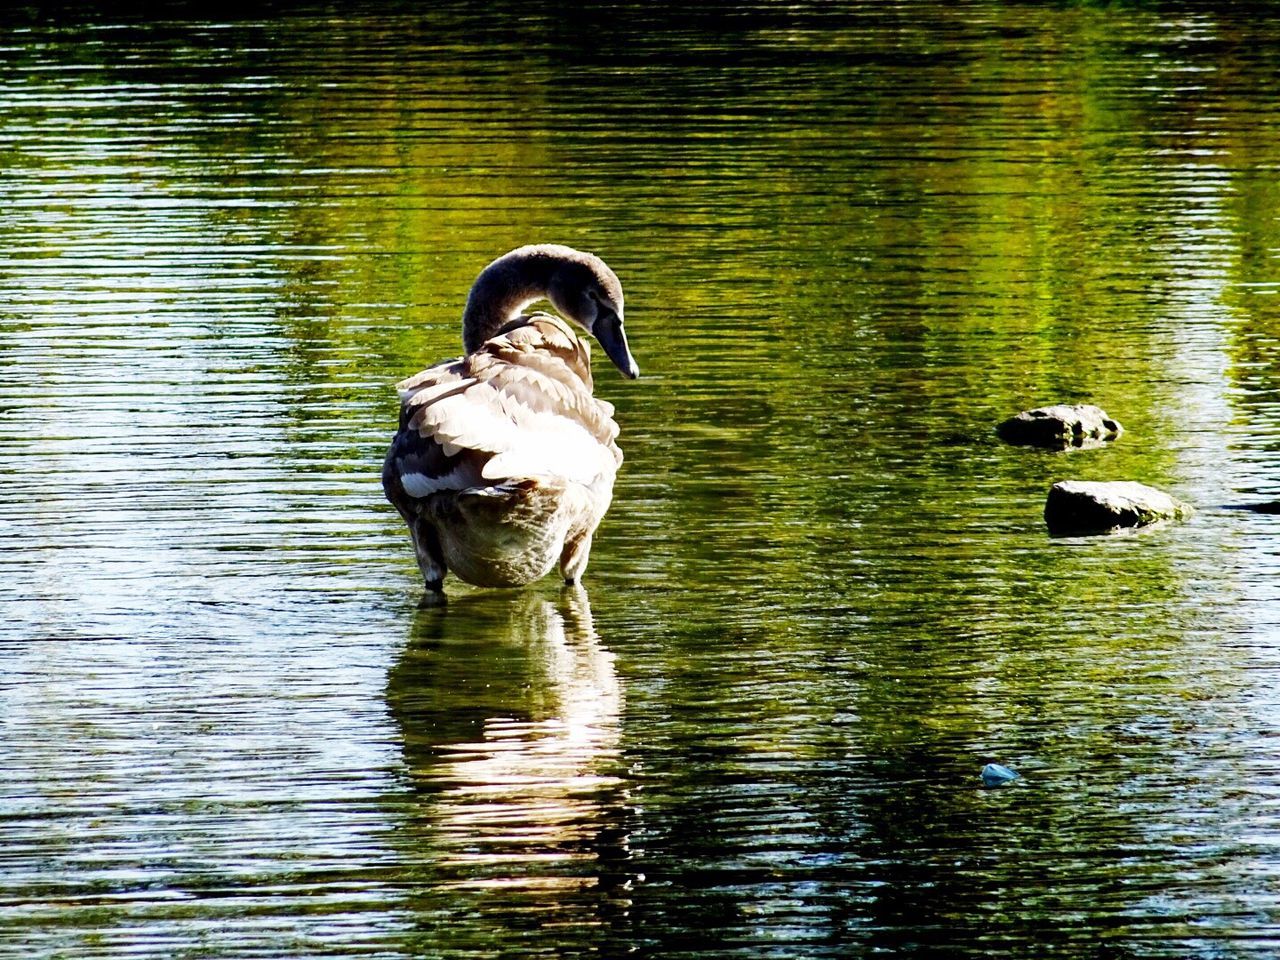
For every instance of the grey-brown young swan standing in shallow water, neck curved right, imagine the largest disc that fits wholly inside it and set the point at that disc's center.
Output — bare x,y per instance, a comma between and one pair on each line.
504,464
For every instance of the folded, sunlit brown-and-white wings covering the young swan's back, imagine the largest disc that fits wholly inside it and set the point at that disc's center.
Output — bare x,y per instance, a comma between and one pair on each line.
516,409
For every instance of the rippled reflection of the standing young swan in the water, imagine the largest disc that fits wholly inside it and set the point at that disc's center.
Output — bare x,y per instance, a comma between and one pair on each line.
510,708
